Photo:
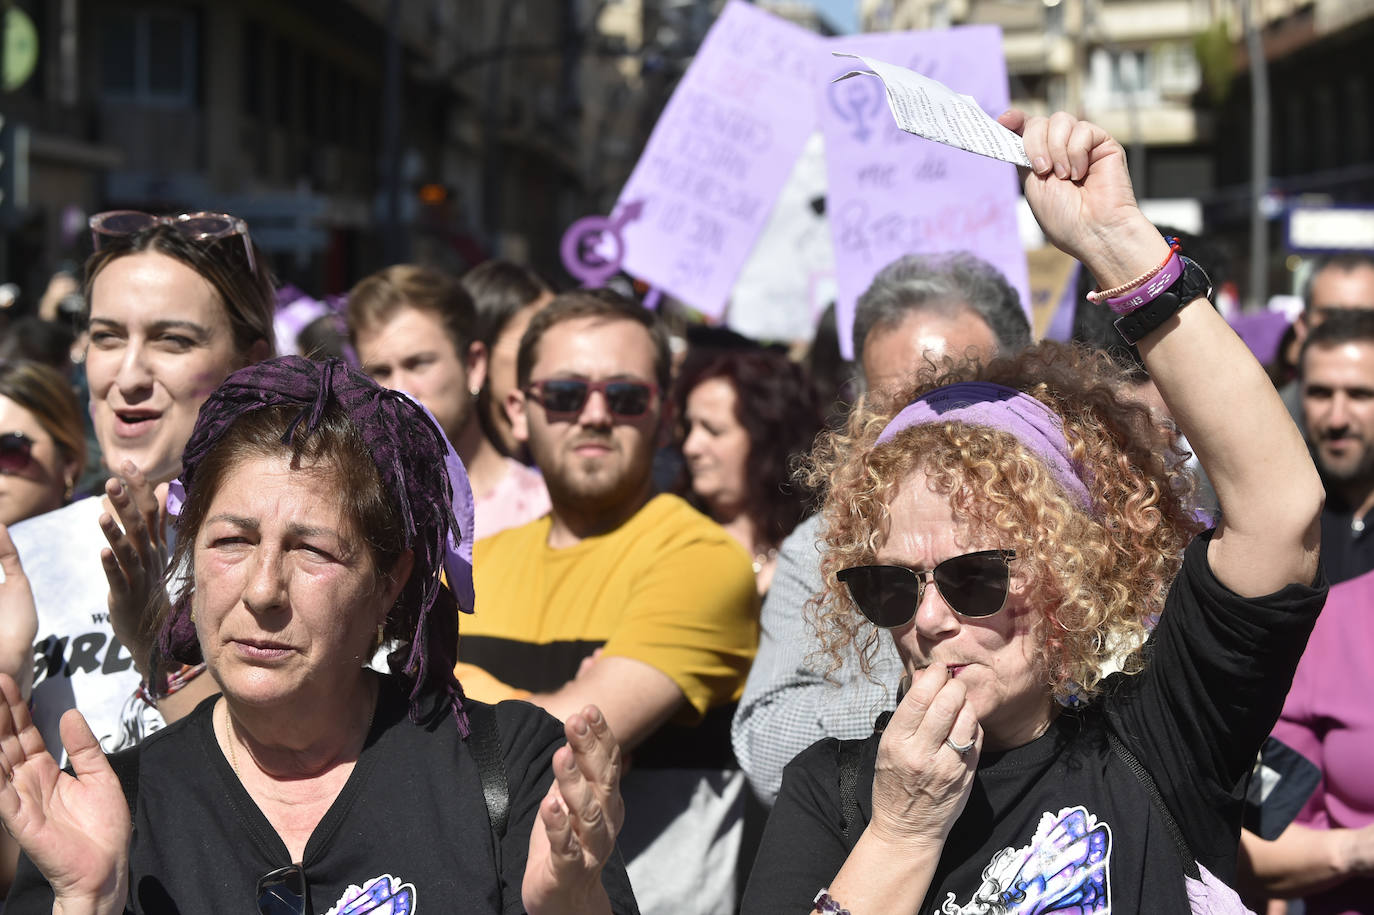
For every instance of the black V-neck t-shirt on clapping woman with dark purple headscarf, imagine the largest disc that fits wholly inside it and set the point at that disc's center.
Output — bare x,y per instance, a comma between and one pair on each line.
410,826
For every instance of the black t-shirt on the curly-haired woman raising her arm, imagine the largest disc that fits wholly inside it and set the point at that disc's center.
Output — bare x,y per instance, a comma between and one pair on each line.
1219,667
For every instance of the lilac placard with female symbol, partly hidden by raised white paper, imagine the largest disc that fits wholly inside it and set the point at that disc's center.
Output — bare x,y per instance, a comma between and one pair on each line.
892,193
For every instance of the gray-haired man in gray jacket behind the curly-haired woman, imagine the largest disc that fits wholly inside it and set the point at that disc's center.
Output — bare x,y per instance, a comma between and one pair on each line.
917,308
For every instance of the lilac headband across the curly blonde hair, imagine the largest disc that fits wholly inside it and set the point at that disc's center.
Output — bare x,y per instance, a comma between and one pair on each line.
1006,410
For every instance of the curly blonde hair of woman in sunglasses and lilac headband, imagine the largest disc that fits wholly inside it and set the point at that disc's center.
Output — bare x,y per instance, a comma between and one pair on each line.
1100,579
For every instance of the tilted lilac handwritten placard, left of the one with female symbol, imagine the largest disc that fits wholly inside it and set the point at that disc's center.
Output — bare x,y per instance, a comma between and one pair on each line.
719,156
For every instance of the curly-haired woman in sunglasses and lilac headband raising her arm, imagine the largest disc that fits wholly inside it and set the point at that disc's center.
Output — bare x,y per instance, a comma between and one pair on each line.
1089,677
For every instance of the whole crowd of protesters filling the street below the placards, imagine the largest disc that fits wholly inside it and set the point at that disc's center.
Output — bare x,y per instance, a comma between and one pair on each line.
466,594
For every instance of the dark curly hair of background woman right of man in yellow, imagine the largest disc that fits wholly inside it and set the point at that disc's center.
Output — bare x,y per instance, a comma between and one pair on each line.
781,411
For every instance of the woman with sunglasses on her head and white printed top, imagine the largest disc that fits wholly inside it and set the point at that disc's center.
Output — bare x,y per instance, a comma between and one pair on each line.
175,304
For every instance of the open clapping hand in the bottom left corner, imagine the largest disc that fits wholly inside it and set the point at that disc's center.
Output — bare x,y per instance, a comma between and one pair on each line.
74,828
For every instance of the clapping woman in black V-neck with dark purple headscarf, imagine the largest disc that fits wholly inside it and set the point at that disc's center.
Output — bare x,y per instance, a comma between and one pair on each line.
321,519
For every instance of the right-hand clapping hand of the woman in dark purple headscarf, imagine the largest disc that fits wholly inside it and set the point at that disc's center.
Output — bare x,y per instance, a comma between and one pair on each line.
579,821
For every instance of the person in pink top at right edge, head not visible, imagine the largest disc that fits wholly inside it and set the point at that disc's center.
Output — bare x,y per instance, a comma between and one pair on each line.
1328,854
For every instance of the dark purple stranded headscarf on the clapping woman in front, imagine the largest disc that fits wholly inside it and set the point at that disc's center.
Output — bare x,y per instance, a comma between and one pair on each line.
421,473
